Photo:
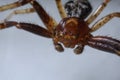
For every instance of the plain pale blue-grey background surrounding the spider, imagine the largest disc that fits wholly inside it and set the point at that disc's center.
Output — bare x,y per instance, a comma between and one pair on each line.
25,56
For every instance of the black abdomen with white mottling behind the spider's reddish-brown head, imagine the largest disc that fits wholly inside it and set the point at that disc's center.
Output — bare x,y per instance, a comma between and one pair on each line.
78,8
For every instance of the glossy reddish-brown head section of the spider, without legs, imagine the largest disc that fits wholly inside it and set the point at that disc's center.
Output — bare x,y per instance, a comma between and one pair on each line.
71,31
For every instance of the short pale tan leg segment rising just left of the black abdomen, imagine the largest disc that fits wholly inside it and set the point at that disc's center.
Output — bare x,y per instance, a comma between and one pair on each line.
61,8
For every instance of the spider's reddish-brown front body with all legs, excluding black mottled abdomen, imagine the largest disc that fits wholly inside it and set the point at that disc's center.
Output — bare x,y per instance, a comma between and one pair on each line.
72,32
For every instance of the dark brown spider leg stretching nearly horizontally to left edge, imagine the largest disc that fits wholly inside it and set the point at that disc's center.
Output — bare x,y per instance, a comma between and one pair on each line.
28,27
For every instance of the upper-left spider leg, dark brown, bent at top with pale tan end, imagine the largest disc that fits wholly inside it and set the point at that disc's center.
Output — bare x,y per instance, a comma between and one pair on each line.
47,20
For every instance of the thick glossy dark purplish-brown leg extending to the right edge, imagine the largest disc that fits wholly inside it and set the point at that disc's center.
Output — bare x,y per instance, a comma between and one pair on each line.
105,43
